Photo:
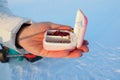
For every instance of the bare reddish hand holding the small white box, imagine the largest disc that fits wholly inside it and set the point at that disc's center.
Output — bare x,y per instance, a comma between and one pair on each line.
31,39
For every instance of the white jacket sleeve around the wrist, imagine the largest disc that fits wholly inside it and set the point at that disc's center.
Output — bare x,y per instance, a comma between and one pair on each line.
9,26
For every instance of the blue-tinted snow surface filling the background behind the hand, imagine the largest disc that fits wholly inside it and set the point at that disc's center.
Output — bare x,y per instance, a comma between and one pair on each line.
103,60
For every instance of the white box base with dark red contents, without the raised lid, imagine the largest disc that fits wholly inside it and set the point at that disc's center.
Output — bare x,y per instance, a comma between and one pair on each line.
58,42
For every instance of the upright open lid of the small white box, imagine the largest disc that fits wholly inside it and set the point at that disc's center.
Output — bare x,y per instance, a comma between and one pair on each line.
80,27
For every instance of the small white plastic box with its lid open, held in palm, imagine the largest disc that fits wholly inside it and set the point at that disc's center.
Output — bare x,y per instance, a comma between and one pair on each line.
61,39
